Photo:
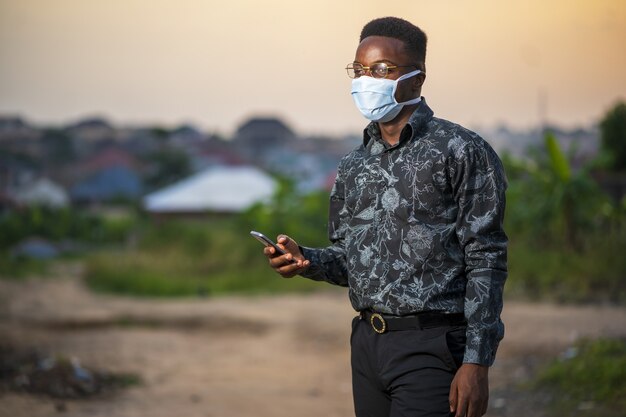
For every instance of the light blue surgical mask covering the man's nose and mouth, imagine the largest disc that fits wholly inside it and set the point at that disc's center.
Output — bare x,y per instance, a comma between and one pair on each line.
376,97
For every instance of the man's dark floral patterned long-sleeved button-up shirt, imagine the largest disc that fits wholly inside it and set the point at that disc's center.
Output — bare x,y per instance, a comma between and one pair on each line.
418,227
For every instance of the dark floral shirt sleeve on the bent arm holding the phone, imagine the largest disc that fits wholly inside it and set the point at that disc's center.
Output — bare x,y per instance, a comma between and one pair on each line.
329,264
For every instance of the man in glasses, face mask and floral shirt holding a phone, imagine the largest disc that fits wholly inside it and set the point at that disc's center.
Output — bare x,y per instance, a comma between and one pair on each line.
415,224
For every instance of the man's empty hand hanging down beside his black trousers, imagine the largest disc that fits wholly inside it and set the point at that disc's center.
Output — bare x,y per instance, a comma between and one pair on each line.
469,392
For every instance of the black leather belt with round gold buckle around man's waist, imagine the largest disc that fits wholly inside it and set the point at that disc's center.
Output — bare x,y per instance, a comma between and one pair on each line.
382,323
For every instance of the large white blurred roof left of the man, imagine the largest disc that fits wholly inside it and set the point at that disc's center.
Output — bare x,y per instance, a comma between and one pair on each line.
223,189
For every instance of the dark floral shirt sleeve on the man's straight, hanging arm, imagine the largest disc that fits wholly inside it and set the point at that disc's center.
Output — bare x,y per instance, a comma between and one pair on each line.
479,186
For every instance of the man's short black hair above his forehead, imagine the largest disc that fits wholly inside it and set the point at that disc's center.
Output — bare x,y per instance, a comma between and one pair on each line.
393,27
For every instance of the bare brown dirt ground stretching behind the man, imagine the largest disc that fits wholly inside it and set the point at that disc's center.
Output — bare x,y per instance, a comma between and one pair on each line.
236,357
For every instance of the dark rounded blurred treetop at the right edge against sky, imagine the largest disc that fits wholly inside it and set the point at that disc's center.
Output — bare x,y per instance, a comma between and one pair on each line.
613,136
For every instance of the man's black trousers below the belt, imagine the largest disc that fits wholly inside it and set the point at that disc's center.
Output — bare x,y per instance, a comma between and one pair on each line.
404,373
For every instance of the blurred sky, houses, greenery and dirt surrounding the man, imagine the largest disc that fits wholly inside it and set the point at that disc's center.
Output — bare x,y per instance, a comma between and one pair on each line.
140,142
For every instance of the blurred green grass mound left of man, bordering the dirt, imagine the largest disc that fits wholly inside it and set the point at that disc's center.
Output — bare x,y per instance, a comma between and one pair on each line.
190,259
